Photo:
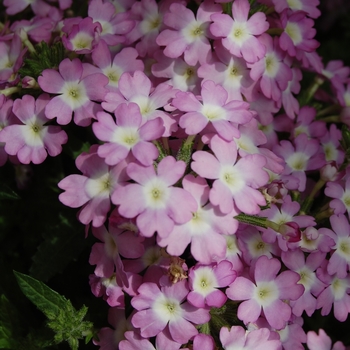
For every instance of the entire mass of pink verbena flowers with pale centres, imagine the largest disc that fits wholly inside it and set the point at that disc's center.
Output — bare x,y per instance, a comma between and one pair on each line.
217,190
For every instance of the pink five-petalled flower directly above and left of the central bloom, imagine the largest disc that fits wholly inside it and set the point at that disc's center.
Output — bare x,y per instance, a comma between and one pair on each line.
127,134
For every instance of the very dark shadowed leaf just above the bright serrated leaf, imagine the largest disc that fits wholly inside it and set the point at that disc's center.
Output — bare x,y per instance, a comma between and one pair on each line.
62,243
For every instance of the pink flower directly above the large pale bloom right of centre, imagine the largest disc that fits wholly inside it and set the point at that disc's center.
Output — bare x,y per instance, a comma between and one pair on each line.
223,115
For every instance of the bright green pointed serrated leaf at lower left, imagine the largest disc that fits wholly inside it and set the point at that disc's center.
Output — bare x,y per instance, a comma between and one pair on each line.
44,298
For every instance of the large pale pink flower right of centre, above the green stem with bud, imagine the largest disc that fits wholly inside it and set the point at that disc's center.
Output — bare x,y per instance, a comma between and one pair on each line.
236,182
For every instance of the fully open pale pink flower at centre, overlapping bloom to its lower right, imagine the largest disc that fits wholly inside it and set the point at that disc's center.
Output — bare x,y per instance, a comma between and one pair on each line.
159,205
